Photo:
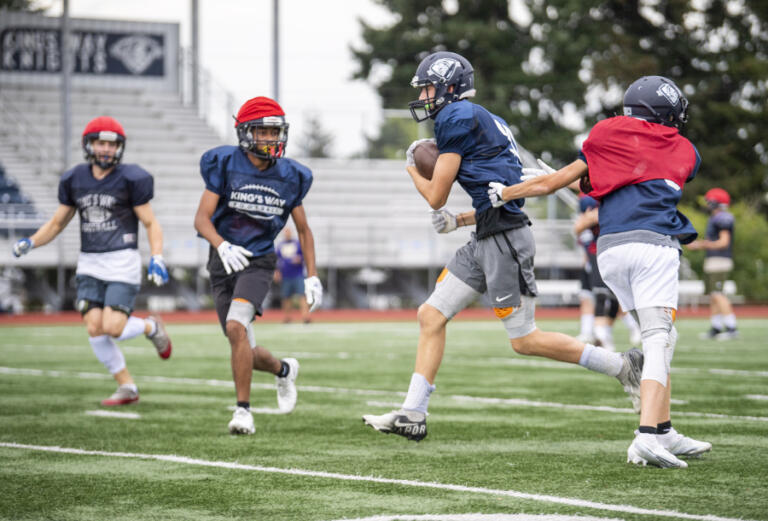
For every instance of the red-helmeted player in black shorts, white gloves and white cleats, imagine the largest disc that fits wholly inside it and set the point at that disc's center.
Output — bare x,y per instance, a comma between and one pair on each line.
250,191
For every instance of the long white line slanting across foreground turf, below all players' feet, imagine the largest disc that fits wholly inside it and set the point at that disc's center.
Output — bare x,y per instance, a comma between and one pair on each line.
374,479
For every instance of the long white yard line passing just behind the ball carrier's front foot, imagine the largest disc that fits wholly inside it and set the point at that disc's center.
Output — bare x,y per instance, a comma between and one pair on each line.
367,392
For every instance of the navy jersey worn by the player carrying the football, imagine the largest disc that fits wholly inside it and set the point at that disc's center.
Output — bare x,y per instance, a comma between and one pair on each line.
487,148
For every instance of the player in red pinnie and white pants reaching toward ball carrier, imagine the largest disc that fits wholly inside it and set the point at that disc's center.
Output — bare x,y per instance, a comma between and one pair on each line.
636,166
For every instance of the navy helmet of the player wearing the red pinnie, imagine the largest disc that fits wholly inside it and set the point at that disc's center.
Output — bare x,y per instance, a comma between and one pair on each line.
656,99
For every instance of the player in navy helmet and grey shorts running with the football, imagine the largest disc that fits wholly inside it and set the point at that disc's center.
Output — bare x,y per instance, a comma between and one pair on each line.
477,147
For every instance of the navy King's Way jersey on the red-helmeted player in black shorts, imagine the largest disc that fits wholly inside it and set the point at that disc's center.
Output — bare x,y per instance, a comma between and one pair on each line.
253,205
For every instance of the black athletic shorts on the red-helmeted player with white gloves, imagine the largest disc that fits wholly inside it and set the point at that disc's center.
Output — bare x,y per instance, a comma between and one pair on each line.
251,284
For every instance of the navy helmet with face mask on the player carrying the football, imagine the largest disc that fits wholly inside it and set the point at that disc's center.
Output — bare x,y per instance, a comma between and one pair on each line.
442,69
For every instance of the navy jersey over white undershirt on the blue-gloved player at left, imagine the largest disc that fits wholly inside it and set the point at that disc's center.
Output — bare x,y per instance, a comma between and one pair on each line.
107,219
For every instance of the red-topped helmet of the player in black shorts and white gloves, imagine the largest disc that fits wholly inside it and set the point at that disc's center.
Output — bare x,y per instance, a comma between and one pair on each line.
262,113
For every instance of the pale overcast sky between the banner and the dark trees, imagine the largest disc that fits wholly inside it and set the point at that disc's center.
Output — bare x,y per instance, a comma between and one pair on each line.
236,46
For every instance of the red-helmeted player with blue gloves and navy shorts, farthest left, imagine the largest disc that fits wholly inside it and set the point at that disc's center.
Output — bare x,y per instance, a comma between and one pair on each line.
111,198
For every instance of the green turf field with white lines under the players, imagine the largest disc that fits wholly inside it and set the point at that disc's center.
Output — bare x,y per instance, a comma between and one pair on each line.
507,434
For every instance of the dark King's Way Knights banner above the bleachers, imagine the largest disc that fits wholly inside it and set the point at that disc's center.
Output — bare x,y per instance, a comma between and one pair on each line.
105,53
